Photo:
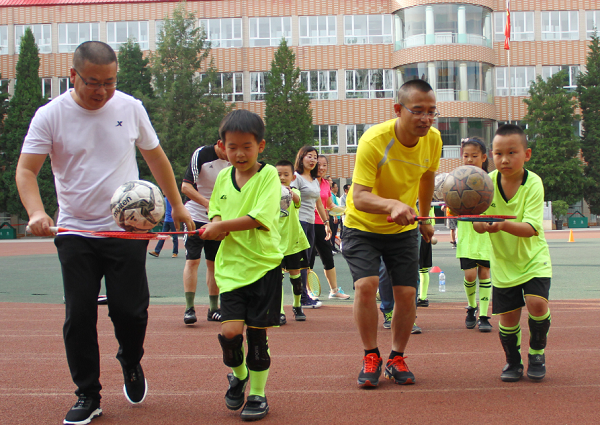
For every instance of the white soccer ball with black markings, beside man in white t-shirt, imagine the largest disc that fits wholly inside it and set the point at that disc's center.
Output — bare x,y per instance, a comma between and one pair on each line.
137,206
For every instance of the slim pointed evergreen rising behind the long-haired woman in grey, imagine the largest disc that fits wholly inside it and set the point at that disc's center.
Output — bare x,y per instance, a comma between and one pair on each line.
288,116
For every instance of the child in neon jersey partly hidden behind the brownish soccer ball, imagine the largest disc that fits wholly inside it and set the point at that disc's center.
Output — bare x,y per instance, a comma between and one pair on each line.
473,249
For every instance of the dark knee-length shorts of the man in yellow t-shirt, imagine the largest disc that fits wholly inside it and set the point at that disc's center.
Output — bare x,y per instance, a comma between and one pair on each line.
363,252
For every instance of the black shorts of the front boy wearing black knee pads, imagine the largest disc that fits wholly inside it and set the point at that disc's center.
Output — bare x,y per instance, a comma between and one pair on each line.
257,304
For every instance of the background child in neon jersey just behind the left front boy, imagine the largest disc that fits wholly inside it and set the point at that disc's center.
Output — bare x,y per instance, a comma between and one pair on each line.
293,240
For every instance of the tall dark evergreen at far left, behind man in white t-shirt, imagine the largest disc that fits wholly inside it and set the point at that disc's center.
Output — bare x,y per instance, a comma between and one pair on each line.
21,108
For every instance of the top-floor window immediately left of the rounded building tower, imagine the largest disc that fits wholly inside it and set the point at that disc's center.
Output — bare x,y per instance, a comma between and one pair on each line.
367,29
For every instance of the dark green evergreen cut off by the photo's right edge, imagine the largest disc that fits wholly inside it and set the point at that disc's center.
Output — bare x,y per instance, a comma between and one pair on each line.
588,91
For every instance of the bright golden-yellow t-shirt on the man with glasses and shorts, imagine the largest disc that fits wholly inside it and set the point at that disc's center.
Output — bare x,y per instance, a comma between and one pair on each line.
393,171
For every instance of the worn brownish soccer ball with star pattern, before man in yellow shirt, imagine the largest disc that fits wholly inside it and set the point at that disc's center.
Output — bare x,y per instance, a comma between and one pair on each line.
468,190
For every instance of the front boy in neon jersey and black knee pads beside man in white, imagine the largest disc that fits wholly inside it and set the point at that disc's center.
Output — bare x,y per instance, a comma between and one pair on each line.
244,213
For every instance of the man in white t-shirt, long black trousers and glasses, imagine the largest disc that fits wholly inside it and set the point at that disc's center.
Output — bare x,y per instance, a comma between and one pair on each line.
91,133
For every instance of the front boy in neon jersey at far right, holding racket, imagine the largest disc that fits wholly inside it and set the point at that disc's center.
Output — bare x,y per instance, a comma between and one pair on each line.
527,274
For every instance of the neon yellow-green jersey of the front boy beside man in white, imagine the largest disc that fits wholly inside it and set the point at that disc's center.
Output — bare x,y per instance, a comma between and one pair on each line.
247,255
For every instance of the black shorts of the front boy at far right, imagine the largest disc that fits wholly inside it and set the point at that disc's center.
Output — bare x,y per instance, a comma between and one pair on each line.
510,299
